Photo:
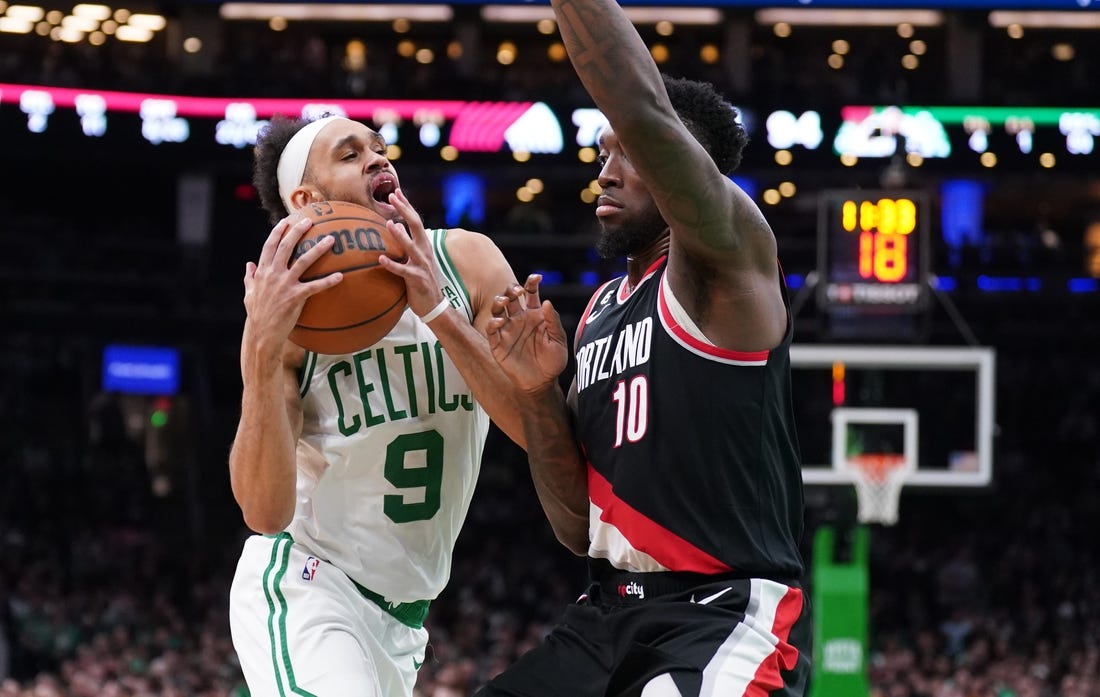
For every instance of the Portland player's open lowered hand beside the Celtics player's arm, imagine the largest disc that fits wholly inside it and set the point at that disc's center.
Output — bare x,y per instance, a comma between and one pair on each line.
527,338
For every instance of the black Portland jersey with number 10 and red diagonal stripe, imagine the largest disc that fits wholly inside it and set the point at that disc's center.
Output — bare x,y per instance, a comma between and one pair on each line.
694,458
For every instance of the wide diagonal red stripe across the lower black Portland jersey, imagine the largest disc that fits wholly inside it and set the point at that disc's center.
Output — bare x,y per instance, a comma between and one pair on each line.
669,549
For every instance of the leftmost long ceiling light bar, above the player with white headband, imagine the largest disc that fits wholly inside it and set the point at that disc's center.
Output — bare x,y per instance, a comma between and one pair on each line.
335,13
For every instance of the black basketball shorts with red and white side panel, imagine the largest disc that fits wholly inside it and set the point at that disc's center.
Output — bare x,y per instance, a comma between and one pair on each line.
734,638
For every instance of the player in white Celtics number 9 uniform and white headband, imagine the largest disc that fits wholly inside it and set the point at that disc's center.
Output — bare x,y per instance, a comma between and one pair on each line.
356,470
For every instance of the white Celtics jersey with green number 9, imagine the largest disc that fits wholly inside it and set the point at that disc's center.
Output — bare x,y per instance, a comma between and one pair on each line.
402,438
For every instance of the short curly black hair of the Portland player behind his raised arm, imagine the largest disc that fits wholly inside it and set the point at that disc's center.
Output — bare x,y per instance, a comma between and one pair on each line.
711,119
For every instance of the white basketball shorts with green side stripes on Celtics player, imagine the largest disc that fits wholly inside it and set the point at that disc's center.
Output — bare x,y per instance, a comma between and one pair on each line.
302,628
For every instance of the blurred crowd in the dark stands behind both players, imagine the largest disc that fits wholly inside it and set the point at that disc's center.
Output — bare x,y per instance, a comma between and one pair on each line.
109,587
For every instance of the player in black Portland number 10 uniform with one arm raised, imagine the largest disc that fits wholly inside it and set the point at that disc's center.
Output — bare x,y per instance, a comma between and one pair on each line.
674,464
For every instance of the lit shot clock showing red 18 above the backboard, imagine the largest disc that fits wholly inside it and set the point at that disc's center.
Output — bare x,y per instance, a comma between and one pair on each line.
873,251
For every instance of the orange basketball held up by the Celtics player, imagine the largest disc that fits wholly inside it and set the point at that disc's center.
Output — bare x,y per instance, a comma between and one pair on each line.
362,308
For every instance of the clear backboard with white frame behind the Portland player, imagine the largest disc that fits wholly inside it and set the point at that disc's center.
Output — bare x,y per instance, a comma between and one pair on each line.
930,407
